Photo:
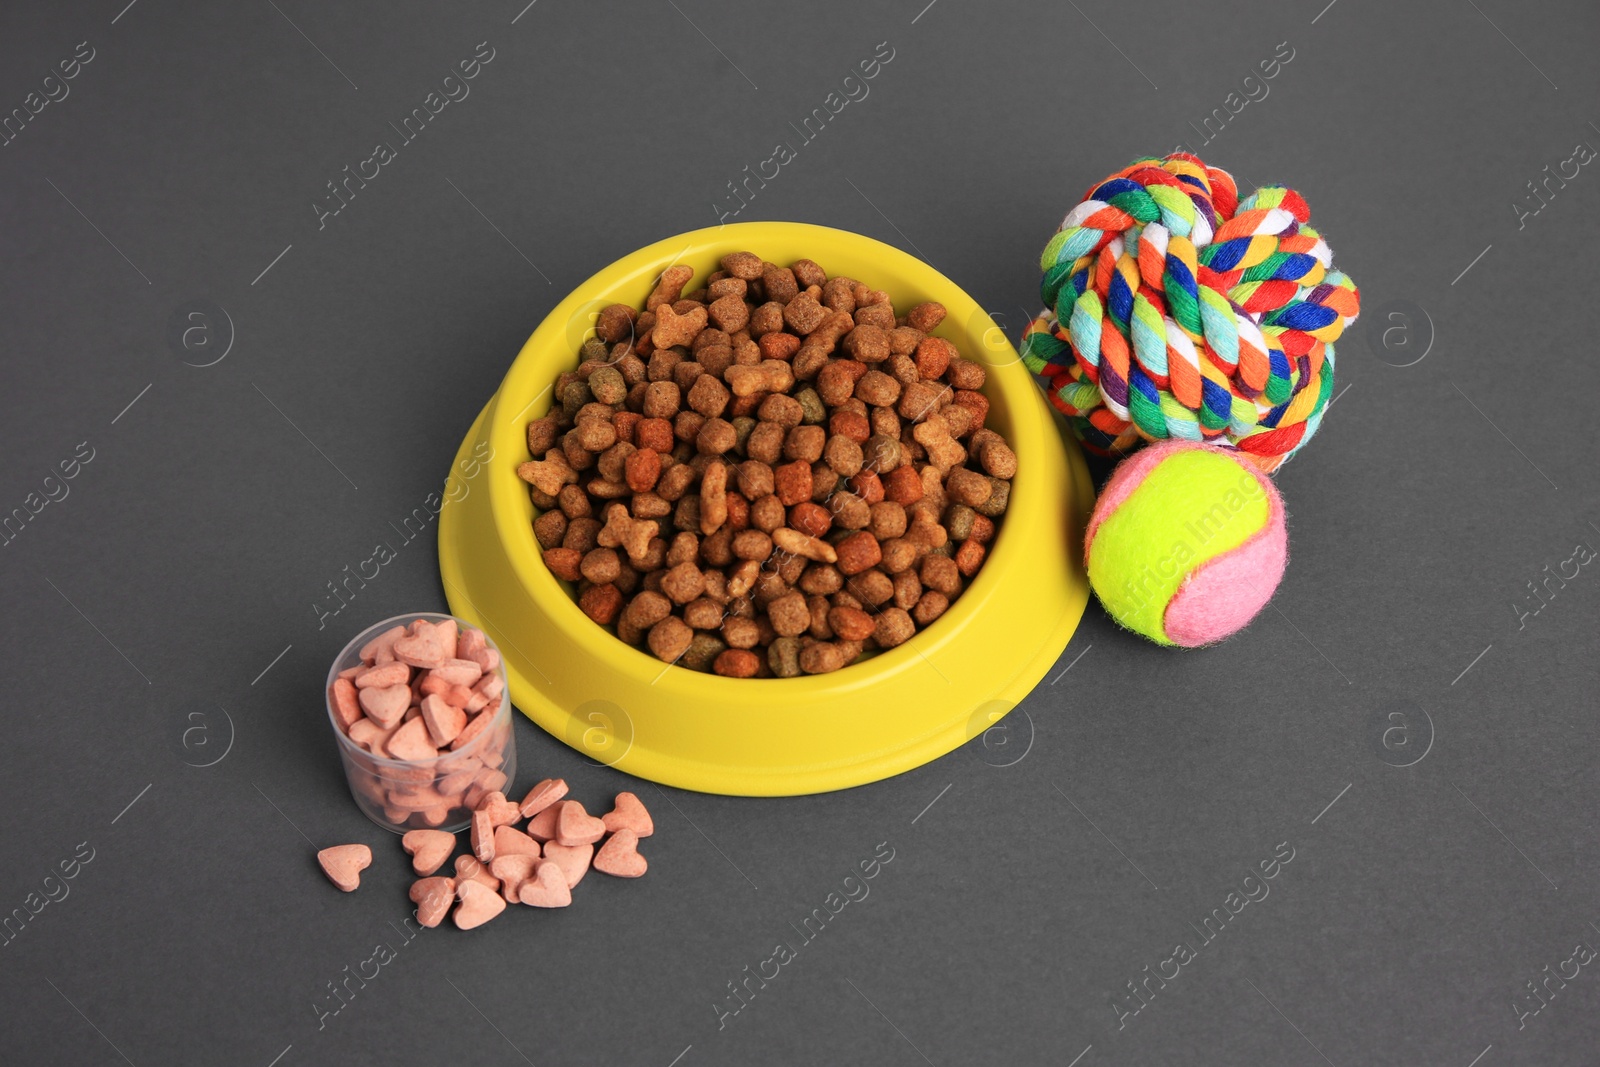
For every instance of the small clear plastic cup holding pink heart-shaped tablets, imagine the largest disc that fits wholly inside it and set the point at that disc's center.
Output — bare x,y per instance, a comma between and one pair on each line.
426,794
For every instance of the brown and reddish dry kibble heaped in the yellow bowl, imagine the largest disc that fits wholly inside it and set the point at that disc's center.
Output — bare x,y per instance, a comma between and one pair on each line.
770,476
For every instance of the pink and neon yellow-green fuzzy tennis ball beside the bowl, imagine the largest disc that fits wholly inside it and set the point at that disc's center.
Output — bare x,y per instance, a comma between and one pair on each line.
1186,543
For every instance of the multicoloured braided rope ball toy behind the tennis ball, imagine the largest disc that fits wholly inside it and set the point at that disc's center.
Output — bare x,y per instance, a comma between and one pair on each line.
1178,311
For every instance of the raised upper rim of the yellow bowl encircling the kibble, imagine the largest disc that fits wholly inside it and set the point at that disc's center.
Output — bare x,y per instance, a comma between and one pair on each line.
542,353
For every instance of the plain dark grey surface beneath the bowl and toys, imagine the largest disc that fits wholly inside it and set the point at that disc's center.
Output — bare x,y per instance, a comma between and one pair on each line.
172,588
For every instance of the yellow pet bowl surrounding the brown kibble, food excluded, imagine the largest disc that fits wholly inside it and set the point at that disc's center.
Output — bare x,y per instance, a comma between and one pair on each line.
769,737
